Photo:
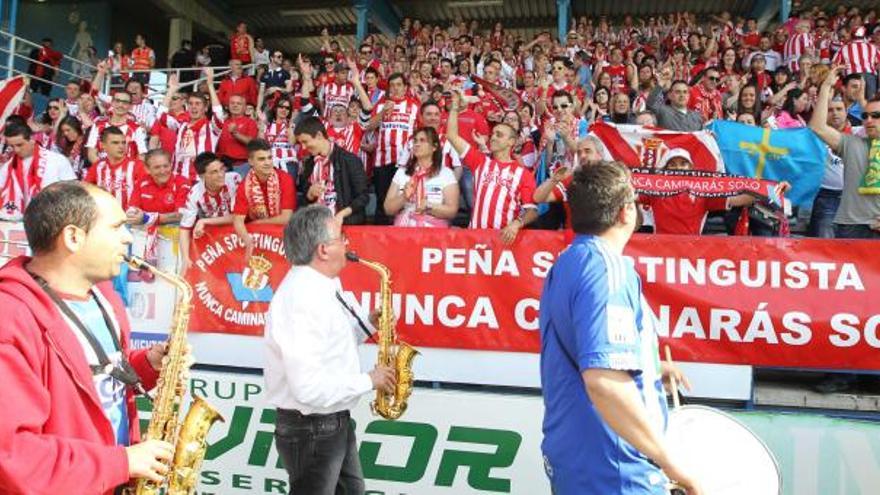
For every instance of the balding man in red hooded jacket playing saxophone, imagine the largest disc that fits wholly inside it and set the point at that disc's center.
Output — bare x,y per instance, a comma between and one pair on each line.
70,425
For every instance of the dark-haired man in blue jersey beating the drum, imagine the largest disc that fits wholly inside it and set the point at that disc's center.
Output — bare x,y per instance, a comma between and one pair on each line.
605,409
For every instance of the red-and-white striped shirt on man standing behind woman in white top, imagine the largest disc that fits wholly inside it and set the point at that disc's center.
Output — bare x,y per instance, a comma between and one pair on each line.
395,130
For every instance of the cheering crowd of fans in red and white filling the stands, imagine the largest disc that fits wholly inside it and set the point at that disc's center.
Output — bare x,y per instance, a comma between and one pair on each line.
455,125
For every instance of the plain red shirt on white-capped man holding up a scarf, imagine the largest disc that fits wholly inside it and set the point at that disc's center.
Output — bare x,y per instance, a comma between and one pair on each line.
683,214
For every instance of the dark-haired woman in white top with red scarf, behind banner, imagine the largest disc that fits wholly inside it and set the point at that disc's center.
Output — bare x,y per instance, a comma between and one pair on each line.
426,192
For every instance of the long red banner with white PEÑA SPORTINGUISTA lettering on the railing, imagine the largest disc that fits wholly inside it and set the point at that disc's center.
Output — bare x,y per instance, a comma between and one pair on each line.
771,302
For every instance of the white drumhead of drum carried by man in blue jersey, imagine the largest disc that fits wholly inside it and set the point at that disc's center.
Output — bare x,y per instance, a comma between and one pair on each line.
724,455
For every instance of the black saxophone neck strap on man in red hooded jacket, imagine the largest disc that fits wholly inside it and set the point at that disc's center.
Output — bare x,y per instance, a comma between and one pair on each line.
122,371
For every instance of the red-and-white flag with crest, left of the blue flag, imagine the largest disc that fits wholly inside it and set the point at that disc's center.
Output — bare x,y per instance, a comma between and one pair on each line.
639,146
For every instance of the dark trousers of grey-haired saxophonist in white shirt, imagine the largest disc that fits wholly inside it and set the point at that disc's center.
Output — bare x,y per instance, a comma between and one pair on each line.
319,453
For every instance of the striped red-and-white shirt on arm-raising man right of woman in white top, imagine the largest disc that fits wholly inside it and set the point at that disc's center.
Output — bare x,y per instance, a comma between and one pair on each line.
501,190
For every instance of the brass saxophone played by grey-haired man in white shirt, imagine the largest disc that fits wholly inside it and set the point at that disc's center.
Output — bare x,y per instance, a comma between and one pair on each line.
392,352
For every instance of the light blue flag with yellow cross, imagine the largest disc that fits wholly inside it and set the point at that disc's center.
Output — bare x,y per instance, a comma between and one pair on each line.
794,155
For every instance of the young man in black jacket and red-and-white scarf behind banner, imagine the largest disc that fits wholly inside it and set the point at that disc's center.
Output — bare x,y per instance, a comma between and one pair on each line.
332,176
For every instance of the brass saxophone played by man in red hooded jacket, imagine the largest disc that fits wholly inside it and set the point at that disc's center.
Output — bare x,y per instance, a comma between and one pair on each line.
190,437
